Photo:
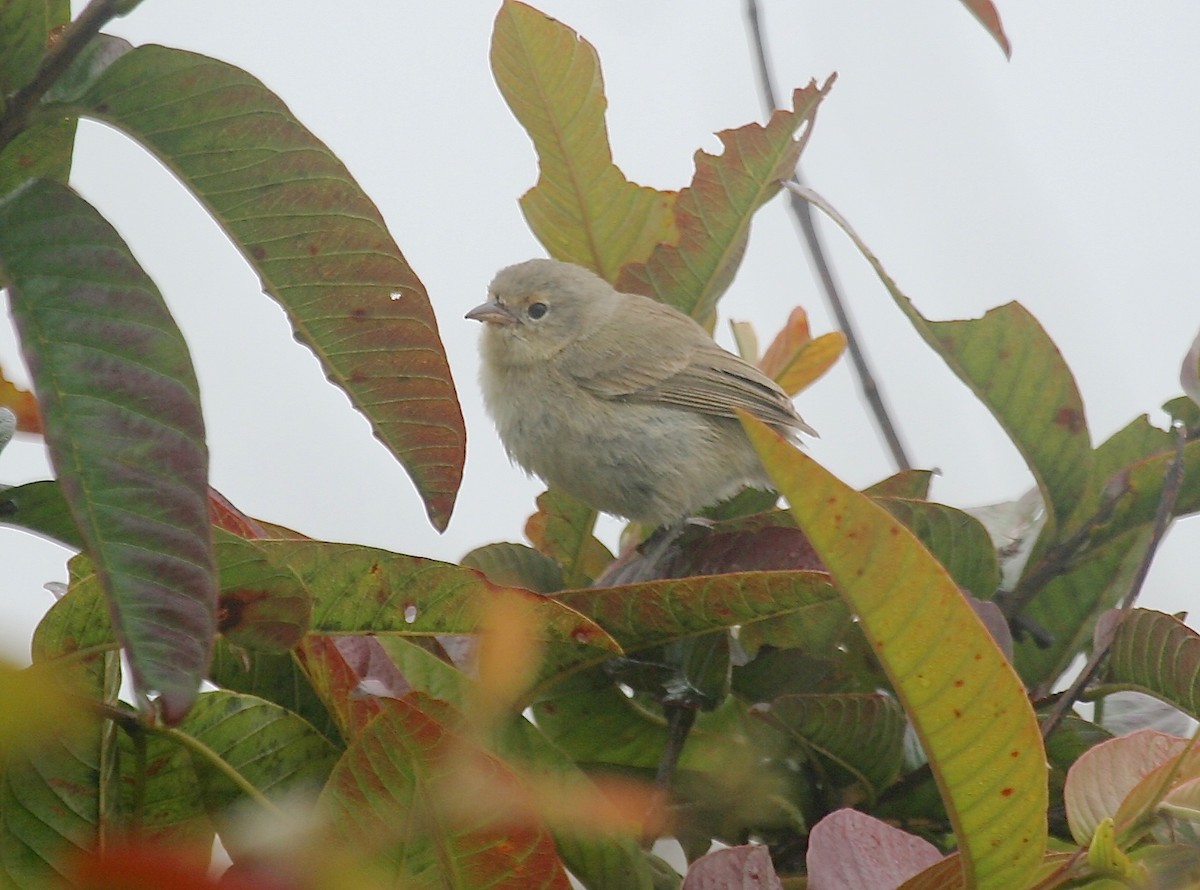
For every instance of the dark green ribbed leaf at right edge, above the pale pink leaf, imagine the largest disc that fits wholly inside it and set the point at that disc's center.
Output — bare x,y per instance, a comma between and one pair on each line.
1160,654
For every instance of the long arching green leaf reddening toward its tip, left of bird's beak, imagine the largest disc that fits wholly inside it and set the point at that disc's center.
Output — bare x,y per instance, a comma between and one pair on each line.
316,240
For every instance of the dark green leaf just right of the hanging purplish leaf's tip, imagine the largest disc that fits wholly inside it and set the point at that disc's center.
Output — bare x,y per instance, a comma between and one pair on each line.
274,750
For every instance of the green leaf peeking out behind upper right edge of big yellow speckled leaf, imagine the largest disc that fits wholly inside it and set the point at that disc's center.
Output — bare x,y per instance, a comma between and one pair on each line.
958,540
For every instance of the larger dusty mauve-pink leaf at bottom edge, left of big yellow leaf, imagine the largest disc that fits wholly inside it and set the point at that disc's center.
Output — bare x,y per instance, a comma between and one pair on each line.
851,851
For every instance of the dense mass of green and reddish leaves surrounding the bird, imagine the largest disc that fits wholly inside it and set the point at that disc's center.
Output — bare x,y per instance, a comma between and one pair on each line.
832,689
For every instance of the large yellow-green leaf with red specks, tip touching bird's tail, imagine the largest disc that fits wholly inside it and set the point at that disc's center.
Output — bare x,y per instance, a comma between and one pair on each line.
964,699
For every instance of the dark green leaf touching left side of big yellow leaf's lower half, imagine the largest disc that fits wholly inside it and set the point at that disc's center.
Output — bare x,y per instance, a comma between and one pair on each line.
863,733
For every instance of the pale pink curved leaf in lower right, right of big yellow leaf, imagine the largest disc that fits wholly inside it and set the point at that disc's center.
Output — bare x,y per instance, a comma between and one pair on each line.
1106,774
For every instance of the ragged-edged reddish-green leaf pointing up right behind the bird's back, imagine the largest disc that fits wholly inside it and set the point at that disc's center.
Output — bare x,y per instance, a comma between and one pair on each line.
713,214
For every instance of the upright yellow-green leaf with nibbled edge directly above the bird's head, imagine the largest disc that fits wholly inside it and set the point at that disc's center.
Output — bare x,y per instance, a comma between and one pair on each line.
584,211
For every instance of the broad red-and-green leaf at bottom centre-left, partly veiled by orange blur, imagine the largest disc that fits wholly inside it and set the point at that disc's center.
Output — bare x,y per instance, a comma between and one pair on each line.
431,807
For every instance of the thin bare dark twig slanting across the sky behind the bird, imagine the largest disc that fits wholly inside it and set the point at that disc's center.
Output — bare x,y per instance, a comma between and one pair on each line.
819,258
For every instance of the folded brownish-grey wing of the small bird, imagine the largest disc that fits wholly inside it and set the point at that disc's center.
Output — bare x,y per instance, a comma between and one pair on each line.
665,359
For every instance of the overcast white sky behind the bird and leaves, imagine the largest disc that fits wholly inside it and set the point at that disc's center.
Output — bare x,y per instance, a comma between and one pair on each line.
1066,179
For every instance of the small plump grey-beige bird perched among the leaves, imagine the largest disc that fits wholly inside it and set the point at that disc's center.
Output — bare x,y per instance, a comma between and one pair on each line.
616,399
